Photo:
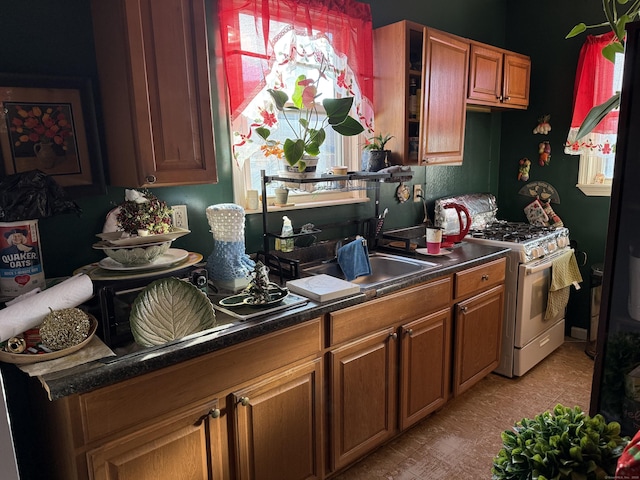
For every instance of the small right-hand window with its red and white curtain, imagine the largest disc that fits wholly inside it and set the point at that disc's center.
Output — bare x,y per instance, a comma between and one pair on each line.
597,80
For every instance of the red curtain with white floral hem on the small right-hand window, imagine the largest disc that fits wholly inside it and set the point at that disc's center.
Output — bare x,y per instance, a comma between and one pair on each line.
593,86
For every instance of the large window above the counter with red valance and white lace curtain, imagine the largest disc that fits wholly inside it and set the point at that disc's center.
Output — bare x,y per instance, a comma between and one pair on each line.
268,49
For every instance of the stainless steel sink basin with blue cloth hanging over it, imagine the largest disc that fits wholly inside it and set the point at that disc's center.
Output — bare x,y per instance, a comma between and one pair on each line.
384,267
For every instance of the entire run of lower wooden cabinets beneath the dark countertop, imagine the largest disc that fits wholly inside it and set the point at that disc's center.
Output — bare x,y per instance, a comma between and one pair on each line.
297,404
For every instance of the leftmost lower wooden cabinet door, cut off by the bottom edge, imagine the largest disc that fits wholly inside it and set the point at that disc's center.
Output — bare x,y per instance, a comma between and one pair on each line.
189,447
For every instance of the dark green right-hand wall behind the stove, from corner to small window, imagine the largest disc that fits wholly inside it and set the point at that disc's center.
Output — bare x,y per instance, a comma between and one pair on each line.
554,61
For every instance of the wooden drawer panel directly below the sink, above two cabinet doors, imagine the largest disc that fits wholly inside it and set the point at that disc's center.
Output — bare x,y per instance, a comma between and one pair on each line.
403,306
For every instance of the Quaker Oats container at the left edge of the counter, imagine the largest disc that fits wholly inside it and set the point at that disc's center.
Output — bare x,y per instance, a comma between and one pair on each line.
20,258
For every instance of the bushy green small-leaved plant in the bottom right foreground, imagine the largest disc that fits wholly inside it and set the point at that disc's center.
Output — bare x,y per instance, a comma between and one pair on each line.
565,444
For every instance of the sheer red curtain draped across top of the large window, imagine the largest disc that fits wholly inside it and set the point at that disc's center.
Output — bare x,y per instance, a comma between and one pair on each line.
246,31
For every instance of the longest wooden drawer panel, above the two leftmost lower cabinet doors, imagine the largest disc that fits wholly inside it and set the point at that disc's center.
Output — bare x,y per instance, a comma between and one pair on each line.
127,404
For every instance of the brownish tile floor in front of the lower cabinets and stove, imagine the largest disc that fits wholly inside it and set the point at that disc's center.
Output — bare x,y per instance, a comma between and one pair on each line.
460,441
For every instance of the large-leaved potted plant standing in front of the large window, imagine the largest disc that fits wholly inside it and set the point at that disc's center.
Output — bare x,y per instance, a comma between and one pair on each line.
301,115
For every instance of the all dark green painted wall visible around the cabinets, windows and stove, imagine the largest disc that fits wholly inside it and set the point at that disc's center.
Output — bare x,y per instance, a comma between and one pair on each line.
55,38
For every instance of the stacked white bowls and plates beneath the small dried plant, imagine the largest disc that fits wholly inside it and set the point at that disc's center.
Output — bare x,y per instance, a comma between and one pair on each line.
140,252
